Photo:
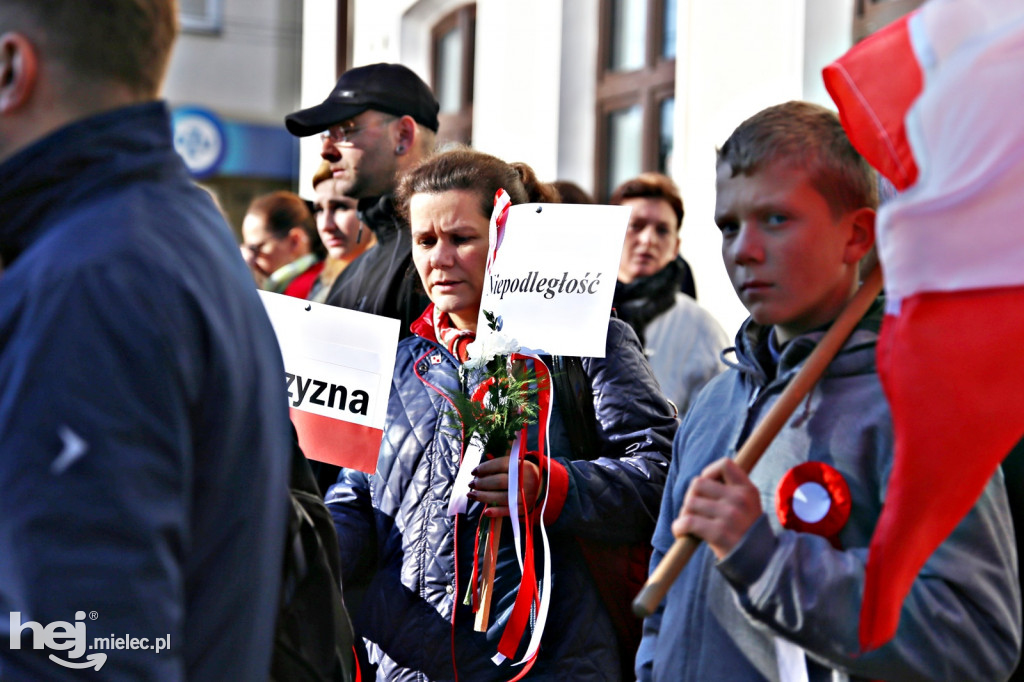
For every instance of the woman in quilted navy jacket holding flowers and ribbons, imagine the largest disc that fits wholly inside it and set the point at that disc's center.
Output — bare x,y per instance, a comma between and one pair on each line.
407,563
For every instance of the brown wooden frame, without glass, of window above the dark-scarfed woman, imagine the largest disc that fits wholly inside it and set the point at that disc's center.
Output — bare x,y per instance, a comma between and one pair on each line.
648,87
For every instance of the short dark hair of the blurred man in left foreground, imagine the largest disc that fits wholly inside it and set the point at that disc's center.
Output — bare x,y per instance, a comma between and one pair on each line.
125,41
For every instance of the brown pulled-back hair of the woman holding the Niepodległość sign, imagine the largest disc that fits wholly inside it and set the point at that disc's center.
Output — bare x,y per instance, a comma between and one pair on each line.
470,170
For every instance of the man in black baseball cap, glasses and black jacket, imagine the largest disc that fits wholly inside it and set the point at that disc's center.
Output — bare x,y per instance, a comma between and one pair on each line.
379,121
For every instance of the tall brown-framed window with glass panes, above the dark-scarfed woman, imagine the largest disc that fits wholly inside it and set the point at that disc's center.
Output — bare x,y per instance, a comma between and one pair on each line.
636,87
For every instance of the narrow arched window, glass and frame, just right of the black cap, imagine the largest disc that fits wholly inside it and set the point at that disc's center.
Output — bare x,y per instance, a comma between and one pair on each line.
453,57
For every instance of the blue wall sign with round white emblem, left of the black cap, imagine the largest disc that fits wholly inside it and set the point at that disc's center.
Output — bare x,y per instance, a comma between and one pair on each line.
212,147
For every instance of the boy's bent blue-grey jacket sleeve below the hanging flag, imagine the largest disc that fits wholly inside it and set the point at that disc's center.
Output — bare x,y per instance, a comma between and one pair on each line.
961,621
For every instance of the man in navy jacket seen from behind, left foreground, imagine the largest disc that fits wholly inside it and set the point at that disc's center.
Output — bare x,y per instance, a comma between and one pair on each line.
144,431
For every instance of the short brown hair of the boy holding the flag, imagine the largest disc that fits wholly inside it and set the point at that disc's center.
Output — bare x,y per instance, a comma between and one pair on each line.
809,137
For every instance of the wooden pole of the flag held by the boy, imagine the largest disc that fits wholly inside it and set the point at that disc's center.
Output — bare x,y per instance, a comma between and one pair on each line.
679,555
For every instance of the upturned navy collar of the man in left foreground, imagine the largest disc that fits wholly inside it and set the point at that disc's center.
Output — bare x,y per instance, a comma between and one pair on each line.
76,163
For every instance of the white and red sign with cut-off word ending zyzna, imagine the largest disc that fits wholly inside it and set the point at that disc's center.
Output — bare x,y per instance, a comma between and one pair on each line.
338,367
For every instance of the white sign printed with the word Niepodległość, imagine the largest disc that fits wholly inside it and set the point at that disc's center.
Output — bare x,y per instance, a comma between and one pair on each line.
553,278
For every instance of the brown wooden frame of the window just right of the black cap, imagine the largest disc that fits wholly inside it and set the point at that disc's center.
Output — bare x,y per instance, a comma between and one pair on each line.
456,126
